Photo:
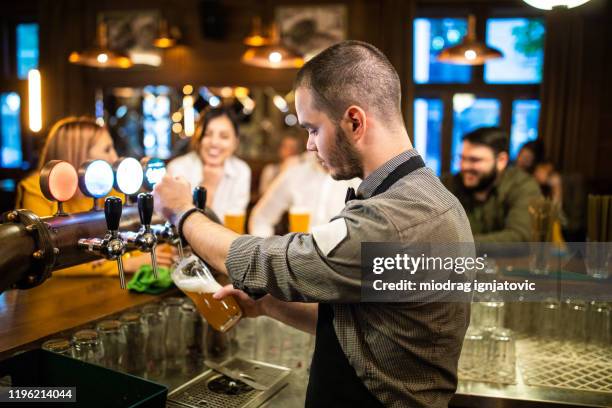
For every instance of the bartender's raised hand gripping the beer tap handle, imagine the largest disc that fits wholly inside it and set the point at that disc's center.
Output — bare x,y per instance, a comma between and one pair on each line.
172,197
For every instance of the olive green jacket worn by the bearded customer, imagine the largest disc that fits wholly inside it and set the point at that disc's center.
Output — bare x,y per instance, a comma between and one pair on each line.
504,215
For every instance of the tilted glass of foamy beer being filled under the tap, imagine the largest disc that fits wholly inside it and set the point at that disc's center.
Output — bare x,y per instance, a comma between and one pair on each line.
194,278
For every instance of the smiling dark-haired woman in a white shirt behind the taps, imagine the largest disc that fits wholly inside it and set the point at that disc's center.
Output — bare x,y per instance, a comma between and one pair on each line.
212,163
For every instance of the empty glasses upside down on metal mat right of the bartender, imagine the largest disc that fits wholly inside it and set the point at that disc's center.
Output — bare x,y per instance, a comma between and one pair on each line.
569,329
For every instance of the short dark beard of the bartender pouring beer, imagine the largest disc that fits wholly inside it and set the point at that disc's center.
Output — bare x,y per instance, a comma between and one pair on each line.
344,161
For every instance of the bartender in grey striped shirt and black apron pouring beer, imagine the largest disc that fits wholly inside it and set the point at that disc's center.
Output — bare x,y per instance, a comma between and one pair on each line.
366,354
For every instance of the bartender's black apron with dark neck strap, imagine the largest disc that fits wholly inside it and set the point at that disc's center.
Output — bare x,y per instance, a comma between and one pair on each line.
333,381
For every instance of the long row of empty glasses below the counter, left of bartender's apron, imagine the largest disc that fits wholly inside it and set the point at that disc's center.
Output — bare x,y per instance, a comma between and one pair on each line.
171,337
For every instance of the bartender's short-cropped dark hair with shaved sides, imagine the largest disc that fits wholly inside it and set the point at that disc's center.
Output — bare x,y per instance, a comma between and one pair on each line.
352,73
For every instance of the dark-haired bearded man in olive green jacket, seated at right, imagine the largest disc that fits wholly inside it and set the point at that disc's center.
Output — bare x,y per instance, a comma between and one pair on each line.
496,197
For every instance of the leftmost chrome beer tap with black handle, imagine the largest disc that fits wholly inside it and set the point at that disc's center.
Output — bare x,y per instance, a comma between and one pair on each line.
111,246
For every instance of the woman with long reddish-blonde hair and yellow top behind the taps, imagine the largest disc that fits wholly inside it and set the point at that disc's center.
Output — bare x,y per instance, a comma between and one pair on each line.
77,140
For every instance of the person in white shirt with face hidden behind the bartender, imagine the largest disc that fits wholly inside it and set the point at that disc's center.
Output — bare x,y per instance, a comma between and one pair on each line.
306,185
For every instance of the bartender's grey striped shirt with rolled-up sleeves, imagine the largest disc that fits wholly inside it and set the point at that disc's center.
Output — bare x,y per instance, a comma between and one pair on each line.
405,353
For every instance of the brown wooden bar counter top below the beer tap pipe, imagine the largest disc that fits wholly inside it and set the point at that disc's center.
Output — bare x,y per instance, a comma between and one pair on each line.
61,303
